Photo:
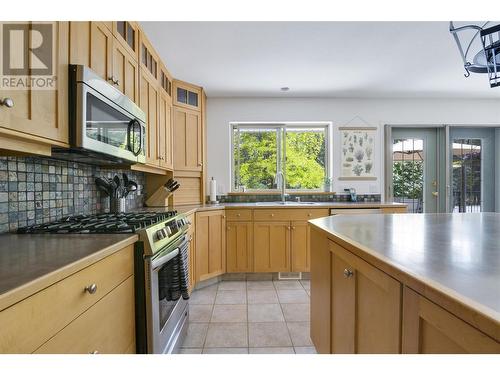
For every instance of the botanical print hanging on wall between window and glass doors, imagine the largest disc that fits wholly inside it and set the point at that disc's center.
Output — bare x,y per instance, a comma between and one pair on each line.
357,147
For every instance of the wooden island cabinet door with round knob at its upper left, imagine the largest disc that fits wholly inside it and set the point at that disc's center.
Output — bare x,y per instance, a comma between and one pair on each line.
358,327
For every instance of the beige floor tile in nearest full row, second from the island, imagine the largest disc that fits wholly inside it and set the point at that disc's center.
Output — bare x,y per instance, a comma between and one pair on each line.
268,334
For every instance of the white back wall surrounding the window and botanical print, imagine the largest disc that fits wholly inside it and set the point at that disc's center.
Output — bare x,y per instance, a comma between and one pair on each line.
376,112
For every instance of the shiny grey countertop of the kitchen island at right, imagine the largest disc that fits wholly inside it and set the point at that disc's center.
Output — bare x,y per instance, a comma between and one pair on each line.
456,254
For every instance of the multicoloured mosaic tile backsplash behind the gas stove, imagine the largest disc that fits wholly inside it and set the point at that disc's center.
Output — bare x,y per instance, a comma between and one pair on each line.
35,190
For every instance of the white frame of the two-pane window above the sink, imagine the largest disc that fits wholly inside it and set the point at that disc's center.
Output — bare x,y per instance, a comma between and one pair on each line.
281,150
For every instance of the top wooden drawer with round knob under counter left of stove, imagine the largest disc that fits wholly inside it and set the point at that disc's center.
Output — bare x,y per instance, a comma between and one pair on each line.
31,322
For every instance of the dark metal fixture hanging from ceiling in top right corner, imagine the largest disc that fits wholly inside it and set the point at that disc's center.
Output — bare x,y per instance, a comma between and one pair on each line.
482,43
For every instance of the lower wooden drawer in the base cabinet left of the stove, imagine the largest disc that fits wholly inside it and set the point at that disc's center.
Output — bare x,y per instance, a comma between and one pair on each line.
107,327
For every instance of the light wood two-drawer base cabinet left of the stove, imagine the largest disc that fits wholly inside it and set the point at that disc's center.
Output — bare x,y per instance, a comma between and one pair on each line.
90,311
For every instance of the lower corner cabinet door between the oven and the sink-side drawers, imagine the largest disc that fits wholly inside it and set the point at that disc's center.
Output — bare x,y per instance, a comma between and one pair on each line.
210,244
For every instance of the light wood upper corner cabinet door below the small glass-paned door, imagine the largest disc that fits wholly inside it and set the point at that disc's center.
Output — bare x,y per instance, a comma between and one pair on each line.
188,140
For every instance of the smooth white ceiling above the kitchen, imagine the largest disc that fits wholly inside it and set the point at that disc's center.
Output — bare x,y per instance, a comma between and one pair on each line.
317,59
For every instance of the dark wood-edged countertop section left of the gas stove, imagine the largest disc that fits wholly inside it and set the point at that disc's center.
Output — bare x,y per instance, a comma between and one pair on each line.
29,260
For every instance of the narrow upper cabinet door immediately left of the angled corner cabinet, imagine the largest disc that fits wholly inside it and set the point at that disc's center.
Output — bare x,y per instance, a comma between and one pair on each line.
165,140
